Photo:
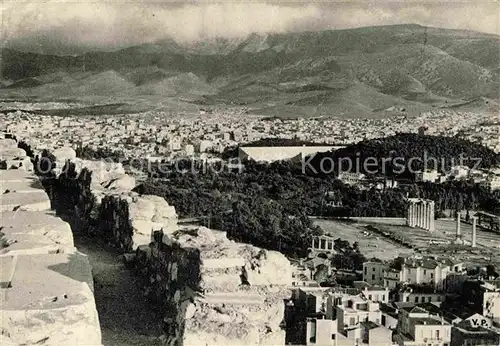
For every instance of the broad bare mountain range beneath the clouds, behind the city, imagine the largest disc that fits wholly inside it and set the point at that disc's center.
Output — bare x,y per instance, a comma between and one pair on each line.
363,72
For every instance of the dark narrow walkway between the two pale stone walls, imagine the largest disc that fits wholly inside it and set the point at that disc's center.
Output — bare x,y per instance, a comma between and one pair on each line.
126,317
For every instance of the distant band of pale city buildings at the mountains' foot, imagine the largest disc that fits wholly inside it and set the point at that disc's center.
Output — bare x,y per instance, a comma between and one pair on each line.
159,136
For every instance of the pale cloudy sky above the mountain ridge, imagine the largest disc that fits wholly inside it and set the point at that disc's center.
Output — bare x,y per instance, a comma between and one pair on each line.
53,25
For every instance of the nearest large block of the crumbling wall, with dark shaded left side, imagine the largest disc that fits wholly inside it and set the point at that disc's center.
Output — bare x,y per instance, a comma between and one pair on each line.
215,291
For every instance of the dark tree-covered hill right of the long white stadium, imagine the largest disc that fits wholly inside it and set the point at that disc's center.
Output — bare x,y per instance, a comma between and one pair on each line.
403,154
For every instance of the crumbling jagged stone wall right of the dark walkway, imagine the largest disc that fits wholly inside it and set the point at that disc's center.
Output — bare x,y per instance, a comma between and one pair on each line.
213,291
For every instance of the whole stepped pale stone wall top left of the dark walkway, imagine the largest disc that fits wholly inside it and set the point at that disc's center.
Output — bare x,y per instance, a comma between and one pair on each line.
46,286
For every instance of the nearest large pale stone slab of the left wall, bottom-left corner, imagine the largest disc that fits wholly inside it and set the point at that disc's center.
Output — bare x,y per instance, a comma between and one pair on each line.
50,300
